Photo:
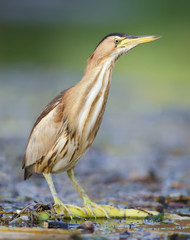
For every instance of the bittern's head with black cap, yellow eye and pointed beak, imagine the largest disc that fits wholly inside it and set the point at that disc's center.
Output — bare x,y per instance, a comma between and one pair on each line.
115,45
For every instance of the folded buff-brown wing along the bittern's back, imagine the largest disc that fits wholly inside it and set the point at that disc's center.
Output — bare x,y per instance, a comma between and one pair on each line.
44,133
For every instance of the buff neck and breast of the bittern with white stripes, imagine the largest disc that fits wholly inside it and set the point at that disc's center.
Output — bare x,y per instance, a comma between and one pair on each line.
91,96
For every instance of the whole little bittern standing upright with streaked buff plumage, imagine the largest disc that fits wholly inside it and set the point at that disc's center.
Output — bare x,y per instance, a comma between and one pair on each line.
68,125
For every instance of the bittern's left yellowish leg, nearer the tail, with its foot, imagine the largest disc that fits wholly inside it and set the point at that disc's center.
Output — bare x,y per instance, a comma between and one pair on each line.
56,199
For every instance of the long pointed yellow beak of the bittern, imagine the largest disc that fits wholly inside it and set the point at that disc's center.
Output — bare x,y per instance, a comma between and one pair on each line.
136,40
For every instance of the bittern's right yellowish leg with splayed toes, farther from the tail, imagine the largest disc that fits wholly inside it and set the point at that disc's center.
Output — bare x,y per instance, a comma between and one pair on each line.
87,202
